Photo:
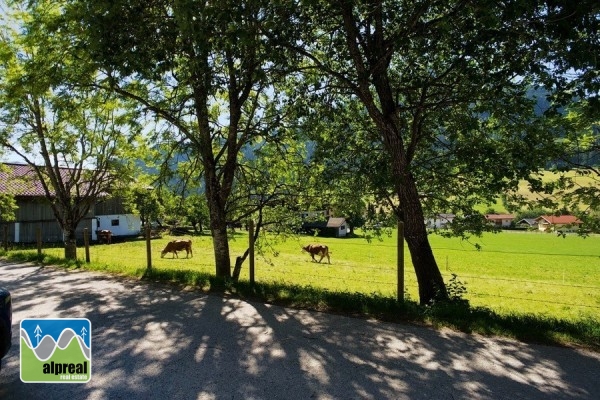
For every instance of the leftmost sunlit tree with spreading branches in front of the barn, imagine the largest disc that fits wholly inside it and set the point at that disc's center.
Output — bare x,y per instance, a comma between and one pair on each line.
74,139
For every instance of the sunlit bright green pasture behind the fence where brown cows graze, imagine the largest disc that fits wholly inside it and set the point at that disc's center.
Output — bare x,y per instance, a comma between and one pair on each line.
513,273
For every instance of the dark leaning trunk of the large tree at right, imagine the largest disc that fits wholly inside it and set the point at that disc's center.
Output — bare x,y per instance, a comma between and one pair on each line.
370,52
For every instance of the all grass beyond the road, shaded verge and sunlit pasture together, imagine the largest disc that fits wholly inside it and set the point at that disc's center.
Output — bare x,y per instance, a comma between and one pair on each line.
531,286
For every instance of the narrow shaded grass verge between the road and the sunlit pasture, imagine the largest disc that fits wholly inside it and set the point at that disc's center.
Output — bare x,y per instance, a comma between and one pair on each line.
457,315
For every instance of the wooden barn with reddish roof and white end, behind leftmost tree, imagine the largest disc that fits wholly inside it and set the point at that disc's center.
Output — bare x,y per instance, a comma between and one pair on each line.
34,212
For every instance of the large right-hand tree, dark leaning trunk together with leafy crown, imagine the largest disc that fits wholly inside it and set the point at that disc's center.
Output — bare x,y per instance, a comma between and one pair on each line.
444,84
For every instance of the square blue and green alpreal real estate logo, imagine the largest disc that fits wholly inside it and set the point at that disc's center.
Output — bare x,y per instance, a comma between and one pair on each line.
56,350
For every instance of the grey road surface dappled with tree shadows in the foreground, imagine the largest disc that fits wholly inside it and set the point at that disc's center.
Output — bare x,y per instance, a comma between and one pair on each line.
153,341
